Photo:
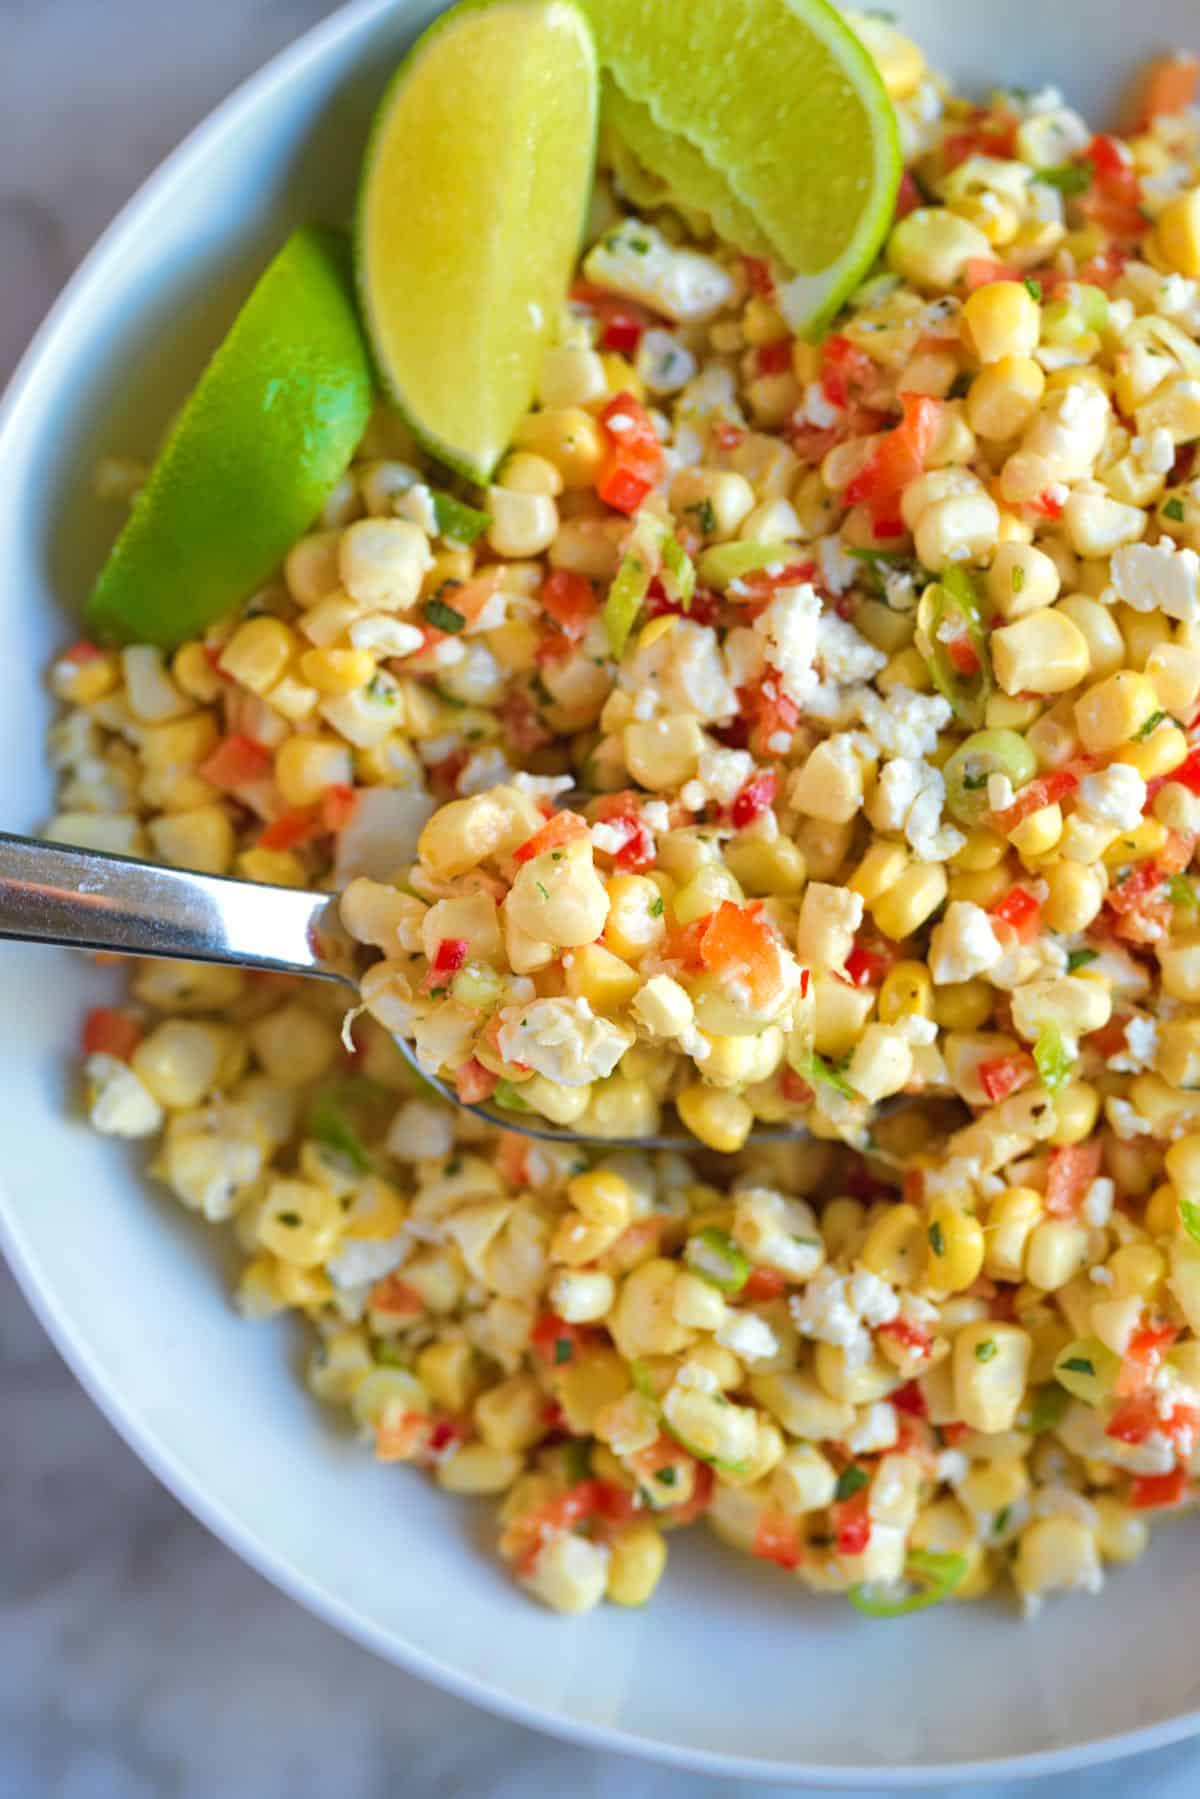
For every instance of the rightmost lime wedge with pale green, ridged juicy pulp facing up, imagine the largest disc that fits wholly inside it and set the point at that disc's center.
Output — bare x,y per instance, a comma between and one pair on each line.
787,105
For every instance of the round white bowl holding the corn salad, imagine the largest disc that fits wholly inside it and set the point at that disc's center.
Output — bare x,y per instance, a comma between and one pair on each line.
731,1669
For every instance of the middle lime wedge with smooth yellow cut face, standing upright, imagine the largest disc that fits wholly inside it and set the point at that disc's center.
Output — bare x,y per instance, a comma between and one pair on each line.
470,217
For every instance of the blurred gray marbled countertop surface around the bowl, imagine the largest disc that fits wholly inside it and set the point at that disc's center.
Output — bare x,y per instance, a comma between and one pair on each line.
139,1658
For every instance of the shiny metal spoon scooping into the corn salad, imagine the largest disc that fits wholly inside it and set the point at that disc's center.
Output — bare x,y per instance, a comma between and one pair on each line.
87,900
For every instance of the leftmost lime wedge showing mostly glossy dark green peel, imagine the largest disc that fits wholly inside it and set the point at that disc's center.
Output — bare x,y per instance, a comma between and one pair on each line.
253,458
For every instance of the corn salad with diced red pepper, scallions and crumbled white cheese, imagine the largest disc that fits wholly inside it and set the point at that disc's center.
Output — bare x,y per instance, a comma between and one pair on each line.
789,728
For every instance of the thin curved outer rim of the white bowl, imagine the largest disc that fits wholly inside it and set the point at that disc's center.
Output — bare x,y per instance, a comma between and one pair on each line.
346,22
